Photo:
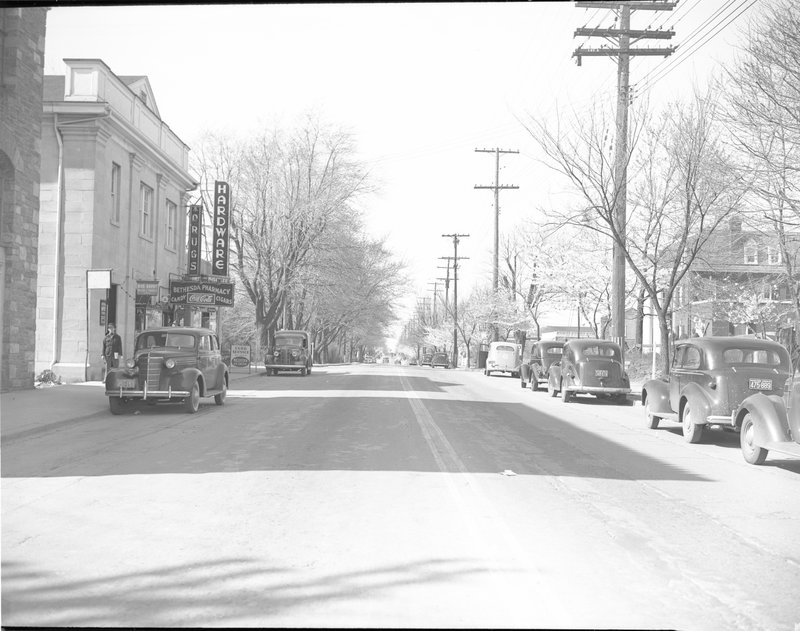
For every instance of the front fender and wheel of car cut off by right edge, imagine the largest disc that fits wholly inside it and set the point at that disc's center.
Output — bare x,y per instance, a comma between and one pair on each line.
766,423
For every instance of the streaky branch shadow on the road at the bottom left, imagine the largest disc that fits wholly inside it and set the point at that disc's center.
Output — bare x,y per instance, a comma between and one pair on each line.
224,591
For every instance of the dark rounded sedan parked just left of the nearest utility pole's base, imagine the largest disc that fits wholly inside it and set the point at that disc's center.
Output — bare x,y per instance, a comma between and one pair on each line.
589,366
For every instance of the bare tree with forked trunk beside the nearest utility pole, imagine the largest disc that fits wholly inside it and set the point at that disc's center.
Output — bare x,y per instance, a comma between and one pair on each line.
681,188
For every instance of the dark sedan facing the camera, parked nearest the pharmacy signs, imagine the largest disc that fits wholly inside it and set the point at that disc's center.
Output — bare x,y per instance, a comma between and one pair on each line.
175,364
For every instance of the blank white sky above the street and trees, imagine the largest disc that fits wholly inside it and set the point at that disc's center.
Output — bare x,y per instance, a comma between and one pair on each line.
420,86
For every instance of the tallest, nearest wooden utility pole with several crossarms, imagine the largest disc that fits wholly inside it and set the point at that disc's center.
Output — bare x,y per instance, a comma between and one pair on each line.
623,36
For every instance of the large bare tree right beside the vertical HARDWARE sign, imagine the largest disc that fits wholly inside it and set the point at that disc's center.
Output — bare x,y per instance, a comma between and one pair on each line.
287,189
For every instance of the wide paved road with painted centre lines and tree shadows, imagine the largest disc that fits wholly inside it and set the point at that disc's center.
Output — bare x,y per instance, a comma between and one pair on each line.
389,496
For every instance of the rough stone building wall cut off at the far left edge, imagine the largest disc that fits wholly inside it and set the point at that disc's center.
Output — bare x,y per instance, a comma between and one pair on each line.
22,36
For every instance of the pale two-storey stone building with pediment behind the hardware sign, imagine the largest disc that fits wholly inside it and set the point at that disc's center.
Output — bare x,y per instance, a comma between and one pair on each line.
115,186
